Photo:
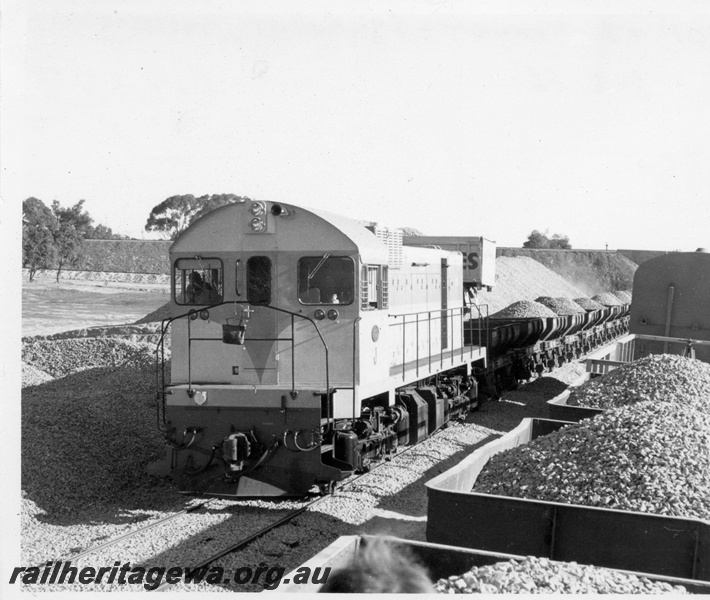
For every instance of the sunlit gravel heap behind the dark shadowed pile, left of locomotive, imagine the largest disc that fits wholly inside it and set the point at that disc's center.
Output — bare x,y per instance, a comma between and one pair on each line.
61,357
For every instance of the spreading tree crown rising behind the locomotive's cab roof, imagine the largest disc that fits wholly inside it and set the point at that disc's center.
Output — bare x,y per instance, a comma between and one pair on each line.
172,216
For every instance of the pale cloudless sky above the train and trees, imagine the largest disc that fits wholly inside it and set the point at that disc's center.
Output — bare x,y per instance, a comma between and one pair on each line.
586,119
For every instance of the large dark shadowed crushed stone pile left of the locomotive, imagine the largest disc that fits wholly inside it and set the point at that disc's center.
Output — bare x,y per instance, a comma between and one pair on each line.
101,426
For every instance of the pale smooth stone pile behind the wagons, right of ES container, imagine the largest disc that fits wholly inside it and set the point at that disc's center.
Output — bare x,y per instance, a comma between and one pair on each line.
523,278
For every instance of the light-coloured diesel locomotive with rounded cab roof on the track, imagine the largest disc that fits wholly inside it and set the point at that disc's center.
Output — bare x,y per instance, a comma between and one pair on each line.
305,345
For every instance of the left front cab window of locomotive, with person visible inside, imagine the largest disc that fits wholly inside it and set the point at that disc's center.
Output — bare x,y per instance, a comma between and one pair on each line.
198,281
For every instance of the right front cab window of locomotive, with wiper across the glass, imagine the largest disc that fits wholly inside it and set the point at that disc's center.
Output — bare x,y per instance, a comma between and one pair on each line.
326,279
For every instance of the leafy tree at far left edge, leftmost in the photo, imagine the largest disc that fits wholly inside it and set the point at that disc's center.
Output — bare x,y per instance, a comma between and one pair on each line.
39,226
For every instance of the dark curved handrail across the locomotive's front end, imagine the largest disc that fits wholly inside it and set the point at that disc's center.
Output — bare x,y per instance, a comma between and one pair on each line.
194,311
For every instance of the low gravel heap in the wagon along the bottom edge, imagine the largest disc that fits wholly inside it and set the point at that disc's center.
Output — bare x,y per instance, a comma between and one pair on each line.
533,575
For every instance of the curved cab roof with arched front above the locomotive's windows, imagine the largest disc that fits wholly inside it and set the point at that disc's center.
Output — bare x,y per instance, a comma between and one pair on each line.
301,229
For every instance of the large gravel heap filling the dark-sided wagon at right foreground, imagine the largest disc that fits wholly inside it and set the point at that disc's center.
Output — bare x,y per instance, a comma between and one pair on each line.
647,457
